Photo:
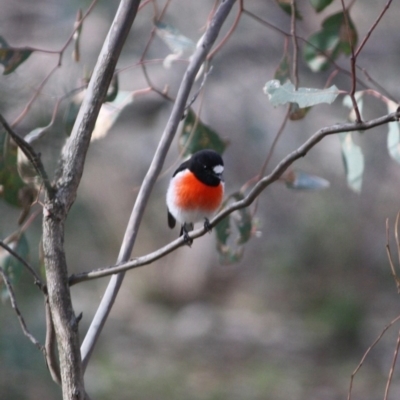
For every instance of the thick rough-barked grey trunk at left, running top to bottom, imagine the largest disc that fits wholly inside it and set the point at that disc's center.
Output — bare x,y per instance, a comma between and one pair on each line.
56,209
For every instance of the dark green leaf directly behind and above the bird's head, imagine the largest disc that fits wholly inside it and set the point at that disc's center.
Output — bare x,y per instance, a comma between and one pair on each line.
196,136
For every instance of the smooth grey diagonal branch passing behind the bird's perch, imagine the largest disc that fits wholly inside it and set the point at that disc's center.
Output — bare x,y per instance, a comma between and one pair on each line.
197,59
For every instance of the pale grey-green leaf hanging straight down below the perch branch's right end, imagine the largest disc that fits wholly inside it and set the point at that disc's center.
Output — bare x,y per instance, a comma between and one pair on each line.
353,160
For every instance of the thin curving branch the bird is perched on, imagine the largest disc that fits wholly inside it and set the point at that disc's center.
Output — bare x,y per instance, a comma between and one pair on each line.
248,199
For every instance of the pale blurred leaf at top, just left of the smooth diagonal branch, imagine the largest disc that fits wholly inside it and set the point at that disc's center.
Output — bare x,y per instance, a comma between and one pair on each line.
176,42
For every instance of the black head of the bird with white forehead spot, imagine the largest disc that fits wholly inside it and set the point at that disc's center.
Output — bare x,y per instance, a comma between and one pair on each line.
208,166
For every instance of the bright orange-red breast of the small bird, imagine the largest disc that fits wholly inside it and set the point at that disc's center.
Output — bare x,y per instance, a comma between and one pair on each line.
192,194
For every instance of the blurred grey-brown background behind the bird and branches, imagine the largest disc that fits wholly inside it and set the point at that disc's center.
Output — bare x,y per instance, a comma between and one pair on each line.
313,290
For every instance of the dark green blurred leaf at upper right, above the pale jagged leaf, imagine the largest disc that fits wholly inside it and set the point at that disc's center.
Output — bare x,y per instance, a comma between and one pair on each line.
332,40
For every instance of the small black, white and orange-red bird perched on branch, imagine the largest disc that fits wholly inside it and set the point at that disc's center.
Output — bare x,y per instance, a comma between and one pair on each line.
195,191
